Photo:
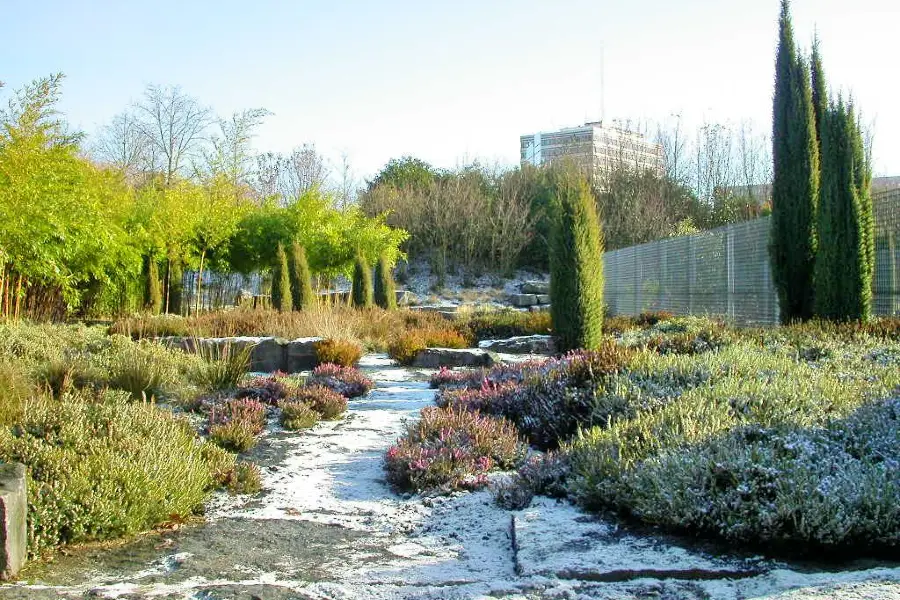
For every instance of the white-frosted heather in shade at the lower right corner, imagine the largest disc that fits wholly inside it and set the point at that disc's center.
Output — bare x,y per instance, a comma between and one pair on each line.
831,487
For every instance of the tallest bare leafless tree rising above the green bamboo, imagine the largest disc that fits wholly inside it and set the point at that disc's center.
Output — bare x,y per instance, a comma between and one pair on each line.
174,124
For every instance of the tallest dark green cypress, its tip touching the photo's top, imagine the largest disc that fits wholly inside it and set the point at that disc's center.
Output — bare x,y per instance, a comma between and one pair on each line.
795,185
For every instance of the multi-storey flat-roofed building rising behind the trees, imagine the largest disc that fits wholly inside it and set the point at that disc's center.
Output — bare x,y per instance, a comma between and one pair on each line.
596,148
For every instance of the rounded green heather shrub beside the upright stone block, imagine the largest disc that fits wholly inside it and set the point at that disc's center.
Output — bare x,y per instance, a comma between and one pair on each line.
102,467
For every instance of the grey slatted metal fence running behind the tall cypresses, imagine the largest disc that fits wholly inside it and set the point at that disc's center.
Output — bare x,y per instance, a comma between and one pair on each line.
725,271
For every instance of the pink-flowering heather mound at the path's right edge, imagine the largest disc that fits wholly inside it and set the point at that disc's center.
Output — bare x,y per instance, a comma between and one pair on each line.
450,448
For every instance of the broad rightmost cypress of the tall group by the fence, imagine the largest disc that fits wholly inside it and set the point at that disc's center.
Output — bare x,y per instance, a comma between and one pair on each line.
845,259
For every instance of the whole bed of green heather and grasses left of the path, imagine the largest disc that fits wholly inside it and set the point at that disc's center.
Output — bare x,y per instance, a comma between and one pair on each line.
103,460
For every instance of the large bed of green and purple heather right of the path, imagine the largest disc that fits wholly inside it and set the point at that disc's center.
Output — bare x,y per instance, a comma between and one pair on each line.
785,436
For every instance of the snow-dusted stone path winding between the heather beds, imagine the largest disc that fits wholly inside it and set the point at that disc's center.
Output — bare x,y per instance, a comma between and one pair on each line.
329,527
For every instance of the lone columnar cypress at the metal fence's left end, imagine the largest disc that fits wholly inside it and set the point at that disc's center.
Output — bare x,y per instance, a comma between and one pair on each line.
576,264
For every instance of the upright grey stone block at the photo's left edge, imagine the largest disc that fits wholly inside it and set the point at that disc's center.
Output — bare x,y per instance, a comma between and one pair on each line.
13,509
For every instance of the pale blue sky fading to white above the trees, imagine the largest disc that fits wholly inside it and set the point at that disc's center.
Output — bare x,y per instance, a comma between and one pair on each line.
449,82
